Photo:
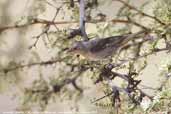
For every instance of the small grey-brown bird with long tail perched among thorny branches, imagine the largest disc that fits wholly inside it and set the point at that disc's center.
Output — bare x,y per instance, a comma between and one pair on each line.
102,48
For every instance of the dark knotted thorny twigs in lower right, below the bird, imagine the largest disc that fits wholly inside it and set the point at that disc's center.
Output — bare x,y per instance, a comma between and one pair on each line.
132,86
